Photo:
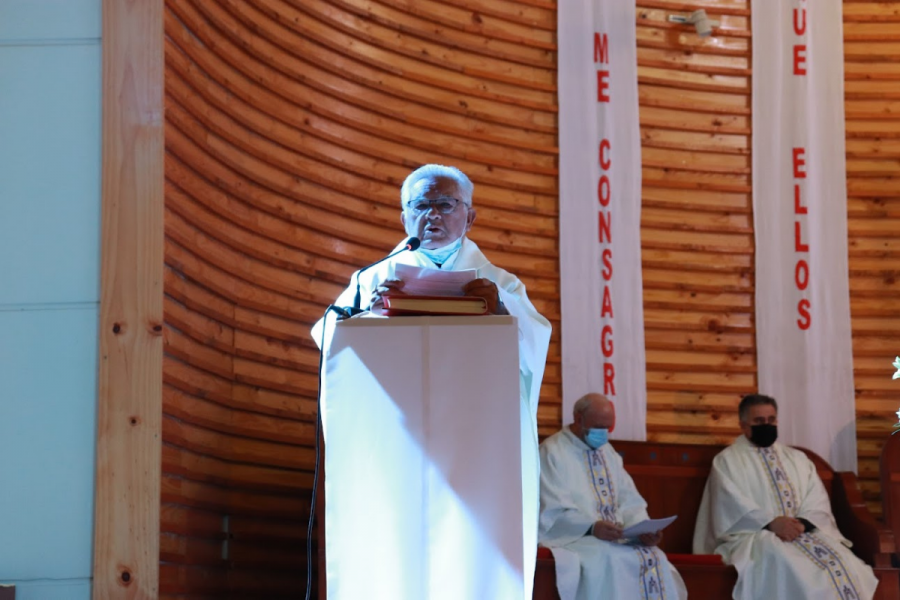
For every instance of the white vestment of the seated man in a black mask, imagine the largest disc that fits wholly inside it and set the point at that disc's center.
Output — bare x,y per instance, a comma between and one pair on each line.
748,487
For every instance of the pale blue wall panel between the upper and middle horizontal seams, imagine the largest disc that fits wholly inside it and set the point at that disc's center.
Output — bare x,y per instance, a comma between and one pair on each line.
49,173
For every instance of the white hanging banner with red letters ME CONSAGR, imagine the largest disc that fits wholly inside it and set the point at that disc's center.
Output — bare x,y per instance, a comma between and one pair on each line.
600,205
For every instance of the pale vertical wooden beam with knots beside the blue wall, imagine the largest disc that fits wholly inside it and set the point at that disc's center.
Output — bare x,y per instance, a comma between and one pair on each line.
126,514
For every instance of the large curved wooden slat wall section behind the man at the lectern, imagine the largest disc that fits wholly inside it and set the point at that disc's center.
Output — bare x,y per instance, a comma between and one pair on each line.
290,126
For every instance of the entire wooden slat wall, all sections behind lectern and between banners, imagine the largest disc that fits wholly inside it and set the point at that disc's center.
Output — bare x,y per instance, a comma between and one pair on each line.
292,123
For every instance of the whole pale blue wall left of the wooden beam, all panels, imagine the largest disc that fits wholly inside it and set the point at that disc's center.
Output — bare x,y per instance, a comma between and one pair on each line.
50,78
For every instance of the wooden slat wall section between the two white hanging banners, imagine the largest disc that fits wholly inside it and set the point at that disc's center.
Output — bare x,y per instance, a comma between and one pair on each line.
697,222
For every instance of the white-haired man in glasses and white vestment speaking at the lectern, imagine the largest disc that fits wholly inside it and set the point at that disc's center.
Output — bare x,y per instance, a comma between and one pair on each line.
437,209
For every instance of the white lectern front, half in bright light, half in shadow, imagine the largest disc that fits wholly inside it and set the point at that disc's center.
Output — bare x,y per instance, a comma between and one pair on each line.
423,465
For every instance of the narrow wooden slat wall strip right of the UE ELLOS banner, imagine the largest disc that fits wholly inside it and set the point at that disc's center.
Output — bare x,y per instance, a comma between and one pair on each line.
872,112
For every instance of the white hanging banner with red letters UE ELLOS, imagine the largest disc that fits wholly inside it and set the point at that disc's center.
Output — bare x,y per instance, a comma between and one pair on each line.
800,219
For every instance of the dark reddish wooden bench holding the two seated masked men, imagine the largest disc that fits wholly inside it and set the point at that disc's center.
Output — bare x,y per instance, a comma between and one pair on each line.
671,478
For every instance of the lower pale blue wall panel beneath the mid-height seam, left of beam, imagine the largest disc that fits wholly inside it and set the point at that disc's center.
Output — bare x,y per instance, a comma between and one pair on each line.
48,400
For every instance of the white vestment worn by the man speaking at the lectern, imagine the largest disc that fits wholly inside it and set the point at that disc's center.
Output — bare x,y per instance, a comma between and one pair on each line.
534,340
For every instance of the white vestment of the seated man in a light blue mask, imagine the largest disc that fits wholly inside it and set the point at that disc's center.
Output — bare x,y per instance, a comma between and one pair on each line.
578,487
